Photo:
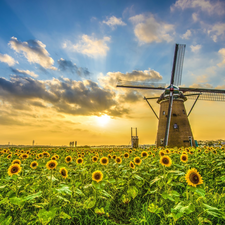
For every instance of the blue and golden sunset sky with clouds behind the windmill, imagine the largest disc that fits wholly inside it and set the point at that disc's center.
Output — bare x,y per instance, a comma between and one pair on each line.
60,62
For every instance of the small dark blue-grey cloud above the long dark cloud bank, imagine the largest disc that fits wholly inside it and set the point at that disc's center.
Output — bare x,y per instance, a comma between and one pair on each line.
67,65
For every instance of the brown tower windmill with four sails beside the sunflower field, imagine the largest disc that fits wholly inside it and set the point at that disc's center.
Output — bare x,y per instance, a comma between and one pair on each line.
174,129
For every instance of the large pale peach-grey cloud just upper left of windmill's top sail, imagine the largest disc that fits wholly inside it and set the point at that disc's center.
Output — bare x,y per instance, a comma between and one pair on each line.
148,30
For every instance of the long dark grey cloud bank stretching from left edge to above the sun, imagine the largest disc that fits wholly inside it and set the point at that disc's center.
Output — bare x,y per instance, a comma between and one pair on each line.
63,95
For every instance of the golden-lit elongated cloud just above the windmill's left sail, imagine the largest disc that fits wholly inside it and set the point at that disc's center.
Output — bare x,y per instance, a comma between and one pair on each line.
112,78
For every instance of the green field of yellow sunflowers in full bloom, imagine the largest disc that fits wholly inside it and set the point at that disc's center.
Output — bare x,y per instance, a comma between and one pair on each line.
112,186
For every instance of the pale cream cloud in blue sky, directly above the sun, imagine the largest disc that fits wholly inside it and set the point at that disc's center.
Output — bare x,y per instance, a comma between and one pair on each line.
89,46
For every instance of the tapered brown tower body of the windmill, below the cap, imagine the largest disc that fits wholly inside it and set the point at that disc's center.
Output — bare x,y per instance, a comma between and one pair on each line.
180,134
